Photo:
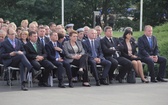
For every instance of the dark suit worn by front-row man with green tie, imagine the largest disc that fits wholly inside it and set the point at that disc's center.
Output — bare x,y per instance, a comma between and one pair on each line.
31,55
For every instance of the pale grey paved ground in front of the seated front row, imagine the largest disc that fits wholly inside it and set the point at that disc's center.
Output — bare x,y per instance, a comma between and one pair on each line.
114,94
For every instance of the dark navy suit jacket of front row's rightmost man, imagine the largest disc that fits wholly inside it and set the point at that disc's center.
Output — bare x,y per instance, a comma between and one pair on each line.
144,47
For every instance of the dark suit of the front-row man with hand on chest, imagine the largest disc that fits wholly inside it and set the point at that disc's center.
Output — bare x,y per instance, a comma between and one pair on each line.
51,55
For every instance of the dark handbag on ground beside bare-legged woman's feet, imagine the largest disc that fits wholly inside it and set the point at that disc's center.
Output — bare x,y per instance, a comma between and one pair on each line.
131,77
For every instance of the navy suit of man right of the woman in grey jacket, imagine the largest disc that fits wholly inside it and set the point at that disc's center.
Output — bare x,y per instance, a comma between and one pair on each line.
105,63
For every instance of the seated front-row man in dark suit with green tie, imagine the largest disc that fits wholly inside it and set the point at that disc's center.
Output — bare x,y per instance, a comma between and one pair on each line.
37,56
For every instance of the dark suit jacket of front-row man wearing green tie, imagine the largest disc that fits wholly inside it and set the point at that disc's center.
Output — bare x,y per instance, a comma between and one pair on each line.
31,52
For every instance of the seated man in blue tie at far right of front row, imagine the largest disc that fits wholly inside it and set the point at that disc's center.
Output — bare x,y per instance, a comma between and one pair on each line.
148,51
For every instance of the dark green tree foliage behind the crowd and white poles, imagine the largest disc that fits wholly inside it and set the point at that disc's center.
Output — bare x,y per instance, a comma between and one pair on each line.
79,12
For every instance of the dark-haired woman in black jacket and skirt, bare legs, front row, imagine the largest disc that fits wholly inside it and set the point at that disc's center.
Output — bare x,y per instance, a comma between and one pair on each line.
129,52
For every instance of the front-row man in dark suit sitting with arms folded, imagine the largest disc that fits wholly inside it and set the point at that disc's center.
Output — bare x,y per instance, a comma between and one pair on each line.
112,49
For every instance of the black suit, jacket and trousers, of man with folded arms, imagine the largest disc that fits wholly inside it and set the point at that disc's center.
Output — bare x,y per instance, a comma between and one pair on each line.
110,54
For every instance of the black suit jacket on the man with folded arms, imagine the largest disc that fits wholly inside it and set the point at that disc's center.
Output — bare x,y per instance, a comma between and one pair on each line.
107,46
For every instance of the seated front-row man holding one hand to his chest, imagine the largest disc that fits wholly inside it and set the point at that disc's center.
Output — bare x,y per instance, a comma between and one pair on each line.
55,55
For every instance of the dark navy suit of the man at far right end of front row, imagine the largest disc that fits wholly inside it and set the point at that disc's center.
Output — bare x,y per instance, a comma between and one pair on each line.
145,51
